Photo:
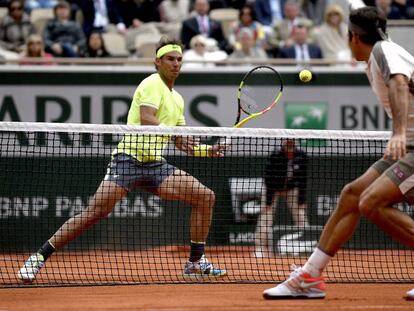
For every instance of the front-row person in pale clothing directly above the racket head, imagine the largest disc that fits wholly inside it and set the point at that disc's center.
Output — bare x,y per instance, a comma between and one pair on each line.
248,49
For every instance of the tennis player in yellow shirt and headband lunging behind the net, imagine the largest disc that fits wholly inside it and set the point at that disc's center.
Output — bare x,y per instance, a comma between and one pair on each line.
137,162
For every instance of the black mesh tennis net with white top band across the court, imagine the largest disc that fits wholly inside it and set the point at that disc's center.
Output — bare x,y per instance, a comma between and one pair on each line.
49,173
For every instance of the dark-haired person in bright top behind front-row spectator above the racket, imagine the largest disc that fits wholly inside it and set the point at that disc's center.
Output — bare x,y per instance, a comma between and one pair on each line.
247,19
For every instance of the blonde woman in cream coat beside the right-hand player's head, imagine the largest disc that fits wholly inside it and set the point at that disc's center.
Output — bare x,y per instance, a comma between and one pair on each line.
332,35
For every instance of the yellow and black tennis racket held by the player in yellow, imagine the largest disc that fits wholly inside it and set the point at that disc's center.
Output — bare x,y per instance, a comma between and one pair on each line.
259,91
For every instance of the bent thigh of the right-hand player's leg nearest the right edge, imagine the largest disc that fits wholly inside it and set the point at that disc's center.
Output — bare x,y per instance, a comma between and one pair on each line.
394,185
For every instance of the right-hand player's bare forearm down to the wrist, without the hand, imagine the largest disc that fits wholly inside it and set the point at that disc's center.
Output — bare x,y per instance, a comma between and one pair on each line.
399,105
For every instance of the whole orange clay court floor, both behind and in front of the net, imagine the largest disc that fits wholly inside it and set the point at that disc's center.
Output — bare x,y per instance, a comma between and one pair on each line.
81,268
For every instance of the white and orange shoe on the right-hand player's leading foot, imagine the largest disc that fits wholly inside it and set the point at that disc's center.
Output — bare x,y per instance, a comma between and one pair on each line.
299,285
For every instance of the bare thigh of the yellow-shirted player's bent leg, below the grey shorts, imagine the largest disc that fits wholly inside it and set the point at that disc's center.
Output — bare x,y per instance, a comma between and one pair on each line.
184,187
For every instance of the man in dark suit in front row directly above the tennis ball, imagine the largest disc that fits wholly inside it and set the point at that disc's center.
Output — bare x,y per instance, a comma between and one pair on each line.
301,50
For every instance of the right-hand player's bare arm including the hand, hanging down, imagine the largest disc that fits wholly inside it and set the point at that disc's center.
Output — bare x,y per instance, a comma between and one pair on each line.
399,97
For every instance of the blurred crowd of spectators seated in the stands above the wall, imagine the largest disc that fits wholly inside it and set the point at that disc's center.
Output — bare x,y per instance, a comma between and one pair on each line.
293,29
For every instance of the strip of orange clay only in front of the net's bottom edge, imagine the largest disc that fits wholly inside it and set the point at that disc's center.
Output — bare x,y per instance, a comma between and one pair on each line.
201,297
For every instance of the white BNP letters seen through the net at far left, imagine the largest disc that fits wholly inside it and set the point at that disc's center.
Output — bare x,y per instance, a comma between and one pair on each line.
19,207
